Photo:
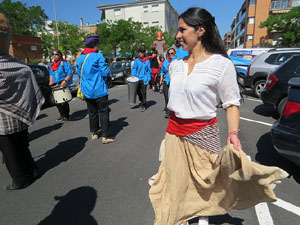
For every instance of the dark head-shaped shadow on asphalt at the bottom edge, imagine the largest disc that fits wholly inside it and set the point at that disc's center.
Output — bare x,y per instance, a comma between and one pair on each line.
73,208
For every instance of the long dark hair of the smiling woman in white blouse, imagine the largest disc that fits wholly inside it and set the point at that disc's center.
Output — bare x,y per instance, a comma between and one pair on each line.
211,39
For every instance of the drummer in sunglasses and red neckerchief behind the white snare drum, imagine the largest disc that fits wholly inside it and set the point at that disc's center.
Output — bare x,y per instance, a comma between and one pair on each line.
60,73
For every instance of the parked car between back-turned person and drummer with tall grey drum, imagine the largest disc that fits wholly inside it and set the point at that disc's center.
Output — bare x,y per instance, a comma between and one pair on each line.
119,71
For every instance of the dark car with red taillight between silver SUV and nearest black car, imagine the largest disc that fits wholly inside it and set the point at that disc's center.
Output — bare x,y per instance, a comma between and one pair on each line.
276,89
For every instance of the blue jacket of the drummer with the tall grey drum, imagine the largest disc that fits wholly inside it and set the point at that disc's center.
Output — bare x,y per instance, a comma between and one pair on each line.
142,70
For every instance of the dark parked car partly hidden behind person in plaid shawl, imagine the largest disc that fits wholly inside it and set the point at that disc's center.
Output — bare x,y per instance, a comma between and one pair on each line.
41,74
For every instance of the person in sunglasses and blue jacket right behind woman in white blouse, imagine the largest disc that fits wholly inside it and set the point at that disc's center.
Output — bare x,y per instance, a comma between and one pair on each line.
166,79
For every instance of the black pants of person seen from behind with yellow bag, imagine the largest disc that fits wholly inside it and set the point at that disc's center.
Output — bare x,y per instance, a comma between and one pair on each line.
99,107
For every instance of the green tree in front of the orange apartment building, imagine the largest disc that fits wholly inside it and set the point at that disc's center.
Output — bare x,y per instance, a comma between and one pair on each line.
288,24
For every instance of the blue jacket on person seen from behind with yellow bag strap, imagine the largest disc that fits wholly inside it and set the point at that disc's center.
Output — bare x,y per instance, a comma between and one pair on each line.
94,72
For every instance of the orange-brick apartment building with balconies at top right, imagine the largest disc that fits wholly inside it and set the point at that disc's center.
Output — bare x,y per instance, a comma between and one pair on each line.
245,31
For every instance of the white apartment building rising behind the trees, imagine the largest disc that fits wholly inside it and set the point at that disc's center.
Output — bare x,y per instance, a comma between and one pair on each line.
148,12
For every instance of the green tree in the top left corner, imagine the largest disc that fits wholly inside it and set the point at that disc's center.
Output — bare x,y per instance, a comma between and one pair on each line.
23,19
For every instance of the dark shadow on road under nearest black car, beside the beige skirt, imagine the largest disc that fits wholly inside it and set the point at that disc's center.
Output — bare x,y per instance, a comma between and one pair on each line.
267,155
